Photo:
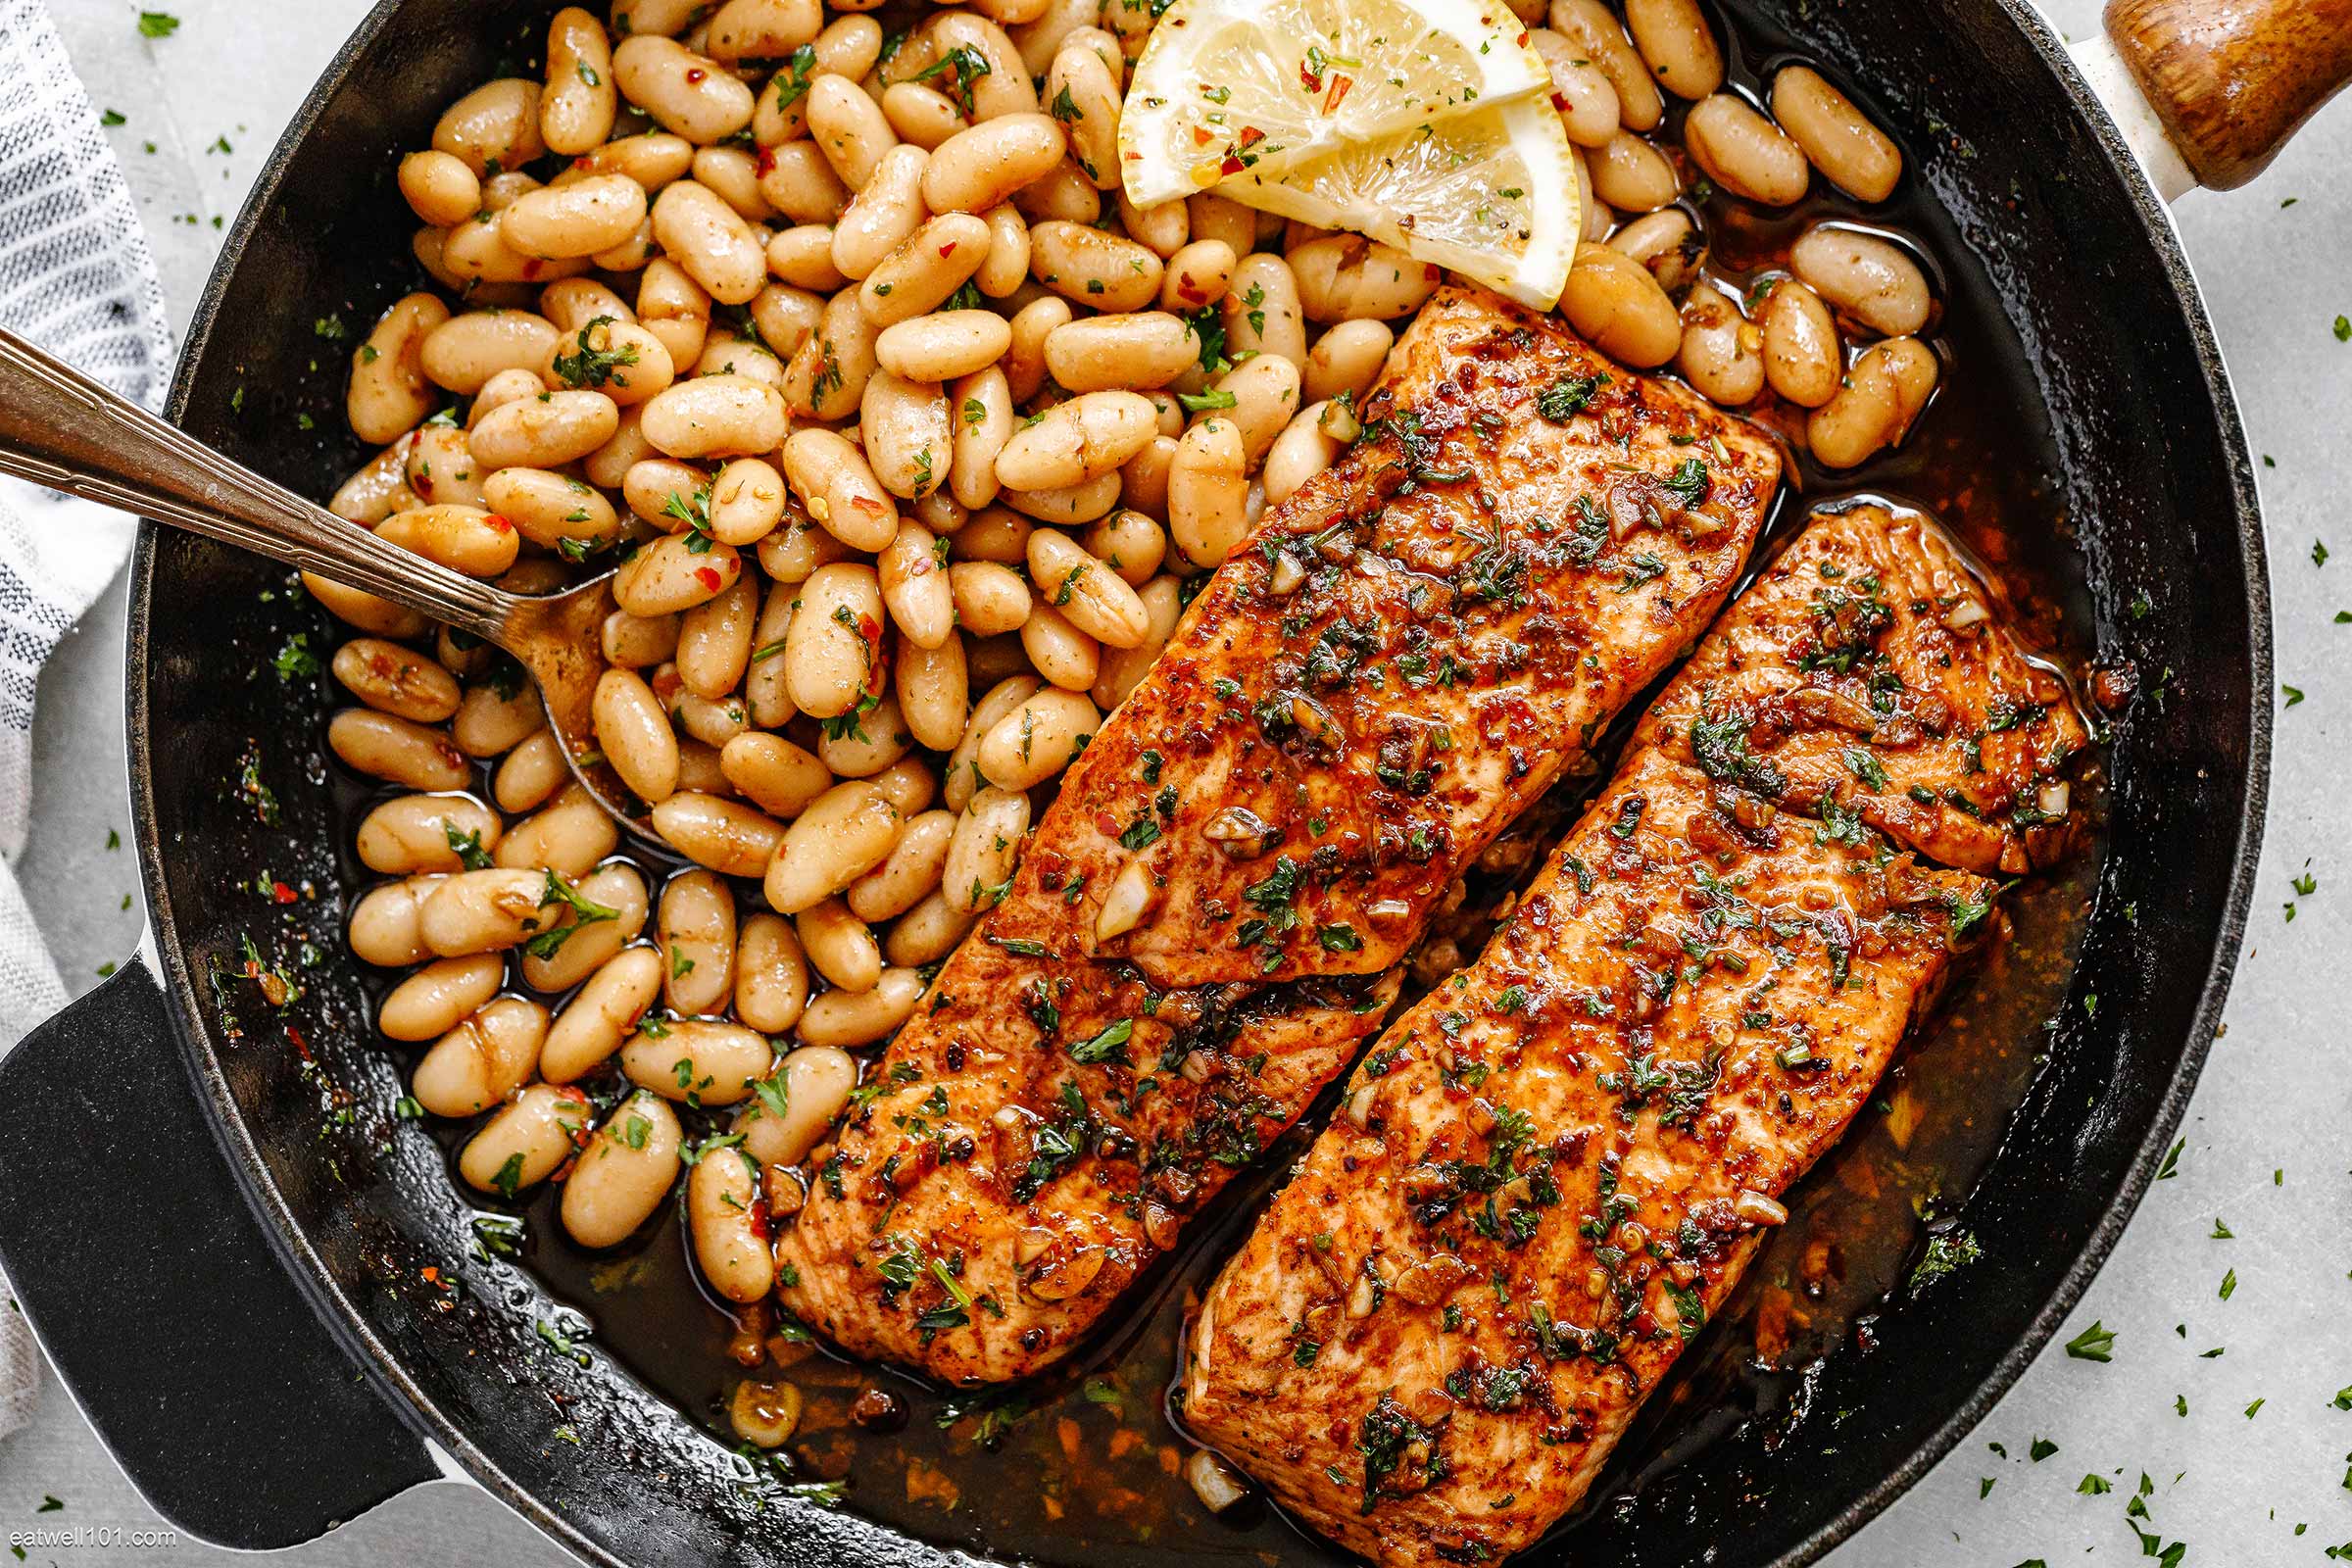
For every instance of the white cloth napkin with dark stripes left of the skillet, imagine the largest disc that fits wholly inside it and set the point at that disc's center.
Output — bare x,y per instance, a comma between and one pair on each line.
79,281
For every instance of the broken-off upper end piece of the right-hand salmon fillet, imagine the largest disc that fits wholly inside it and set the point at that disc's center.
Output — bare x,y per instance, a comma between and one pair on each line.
1871,671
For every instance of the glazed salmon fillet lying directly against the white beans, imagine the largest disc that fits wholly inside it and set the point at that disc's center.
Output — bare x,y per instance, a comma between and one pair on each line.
1210,918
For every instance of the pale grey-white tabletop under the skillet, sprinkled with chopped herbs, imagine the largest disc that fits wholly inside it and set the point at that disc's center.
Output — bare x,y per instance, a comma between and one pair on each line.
2269,1137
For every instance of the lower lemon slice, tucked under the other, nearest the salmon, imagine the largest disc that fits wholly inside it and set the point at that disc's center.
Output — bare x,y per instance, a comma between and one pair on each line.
1490,196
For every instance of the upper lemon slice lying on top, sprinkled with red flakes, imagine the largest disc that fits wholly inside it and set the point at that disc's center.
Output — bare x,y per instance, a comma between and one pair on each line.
1262,86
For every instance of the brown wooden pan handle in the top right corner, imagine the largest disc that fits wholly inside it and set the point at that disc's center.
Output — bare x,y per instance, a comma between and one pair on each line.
2233,79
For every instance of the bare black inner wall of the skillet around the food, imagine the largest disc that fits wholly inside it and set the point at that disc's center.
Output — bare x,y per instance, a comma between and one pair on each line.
2047,248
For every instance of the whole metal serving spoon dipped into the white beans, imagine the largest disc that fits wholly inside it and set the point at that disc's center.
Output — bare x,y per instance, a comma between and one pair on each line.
69,434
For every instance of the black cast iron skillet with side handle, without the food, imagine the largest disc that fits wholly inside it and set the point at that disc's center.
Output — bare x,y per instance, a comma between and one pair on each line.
222,1233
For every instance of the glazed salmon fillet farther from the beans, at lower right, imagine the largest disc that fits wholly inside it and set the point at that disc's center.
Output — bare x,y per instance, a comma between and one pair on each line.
1556,1167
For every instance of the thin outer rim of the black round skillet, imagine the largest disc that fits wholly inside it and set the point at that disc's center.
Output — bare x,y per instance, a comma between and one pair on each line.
347,1322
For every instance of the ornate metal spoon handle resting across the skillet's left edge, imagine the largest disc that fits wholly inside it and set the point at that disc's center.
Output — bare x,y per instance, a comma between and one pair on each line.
69,434
